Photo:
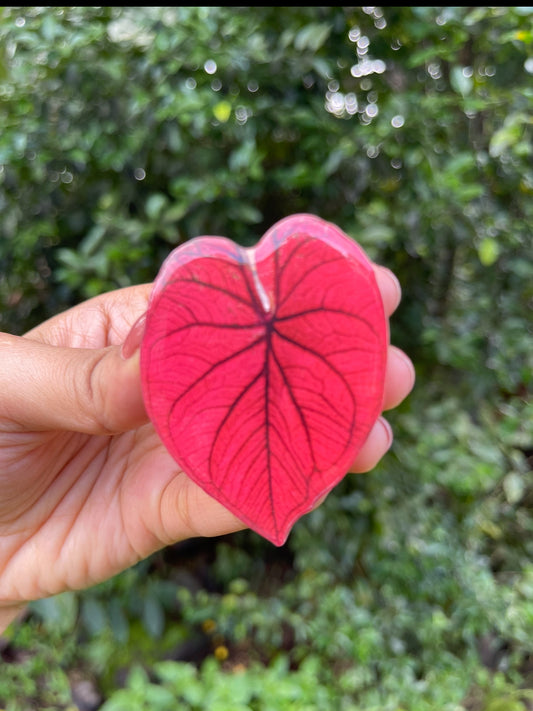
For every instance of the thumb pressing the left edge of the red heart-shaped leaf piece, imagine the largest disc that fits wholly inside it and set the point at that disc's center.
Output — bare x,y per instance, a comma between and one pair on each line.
44,387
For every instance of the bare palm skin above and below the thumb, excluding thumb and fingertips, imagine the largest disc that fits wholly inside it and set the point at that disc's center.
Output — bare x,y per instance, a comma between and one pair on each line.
89,506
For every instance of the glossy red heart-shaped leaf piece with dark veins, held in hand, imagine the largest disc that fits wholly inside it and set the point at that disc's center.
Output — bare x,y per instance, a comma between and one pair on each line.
263,368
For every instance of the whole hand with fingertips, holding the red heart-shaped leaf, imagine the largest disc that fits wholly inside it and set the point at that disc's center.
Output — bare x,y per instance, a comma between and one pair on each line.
86,487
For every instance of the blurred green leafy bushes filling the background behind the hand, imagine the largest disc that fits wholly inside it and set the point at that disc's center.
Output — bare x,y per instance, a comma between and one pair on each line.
127,131
